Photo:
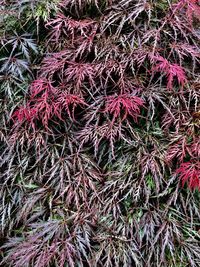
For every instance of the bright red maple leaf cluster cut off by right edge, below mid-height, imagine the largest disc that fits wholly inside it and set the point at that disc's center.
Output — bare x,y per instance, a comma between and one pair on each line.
190,173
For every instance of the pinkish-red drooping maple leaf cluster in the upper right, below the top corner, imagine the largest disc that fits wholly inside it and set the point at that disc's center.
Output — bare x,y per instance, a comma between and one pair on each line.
171,71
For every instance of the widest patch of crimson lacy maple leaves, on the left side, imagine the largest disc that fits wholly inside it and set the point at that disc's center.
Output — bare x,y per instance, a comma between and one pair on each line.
47,102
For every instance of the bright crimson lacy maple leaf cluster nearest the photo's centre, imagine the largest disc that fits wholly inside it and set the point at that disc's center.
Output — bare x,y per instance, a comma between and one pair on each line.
125,105
